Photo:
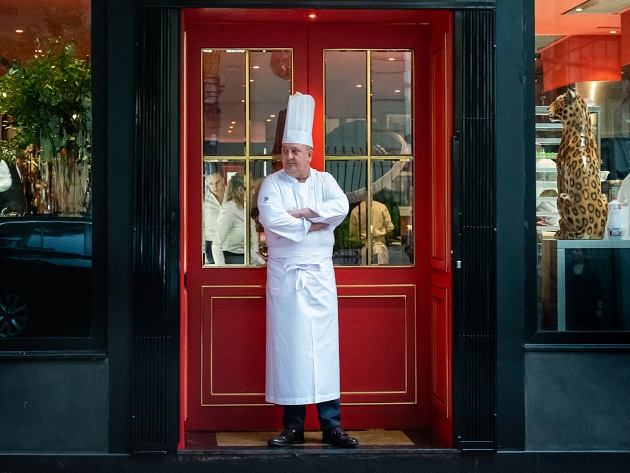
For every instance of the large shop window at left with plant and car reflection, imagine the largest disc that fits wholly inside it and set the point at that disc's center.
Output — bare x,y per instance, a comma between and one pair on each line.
45,166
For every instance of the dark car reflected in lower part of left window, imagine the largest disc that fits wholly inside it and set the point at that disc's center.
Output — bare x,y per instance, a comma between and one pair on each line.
45,277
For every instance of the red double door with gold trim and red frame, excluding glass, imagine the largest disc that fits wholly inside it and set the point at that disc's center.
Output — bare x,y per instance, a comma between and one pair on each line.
394,321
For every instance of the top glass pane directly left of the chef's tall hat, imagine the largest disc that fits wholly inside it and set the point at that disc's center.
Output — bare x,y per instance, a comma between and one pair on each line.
270,87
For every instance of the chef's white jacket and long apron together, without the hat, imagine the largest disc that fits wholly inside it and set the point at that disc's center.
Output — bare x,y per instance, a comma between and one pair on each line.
302,327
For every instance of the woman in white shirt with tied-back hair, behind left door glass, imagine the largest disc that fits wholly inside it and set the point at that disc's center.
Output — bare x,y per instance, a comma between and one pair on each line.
228,246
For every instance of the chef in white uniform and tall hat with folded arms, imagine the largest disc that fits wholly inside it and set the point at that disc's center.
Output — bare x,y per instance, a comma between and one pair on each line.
300,208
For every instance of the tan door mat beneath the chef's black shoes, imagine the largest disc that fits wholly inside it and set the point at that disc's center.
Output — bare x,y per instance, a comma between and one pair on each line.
376,437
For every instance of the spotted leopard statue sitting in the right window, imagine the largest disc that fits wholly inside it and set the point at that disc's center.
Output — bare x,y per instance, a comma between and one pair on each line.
581,204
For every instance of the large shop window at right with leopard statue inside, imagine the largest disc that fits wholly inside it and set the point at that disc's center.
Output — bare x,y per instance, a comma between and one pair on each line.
582,189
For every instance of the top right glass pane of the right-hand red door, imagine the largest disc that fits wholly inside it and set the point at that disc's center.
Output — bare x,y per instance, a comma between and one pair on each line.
391,102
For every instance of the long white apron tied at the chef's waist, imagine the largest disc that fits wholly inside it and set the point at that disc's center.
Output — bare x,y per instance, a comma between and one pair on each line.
302,331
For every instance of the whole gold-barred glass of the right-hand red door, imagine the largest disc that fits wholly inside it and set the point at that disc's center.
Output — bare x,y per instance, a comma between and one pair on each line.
368,150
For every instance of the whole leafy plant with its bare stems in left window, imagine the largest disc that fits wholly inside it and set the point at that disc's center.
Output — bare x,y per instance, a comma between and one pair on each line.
48,100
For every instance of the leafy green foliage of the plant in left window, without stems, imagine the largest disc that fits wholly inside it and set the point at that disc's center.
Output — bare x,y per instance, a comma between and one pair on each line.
49,100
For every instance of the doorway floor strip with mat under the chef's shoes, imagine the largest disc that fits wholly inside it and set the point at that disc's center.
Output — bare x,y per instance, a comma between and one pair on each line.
372,441
